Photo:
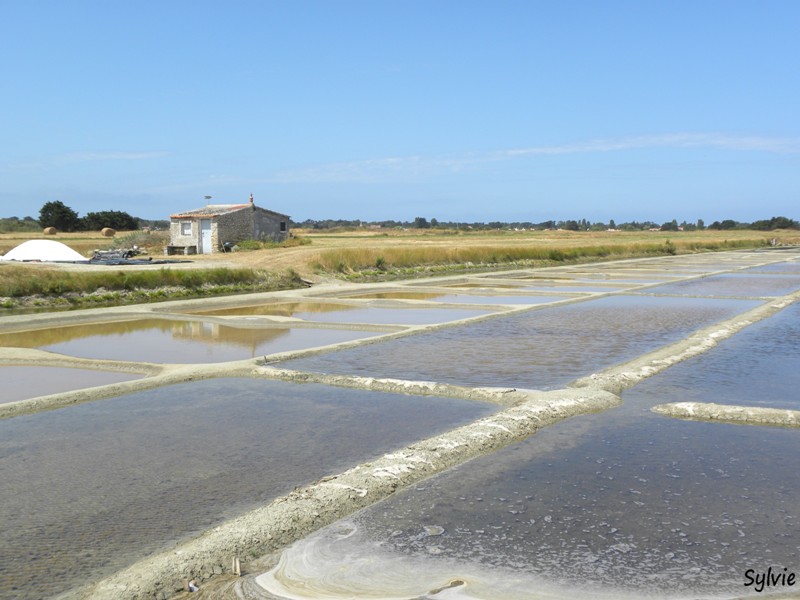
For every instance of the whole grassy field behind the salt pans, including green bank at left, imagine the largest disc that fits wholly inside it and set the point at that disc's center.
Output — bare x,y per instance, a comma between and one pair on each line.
359,255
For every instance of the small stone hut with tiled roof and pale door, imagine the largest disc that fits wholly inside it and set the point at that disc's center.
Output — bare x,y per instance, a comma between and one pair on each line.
213,227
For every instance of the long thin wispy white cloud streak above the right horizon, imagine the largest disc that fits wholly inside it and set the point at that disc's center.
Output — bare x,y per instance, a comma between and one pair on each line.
411,167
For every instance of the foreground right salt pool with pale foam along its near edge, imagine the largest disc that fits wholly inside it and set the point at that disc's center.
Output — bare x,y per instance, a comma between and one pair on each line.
623,504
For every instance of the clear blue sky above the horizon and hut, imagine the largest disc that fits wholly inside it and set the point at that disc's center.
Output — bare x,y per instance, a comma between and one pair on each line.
388,109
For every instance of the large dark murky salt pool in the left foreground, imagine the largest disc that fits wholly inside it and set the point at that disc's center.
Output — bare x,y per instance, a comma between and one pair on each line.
91,488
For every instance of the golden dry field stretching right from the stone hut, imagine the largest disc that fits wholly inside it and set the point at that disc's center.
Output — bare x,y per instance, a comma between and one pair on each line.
369,254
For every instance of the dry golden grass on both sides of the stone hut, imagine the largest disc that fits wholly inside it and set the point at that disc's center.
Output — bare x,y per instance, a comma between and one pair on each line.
363,249
